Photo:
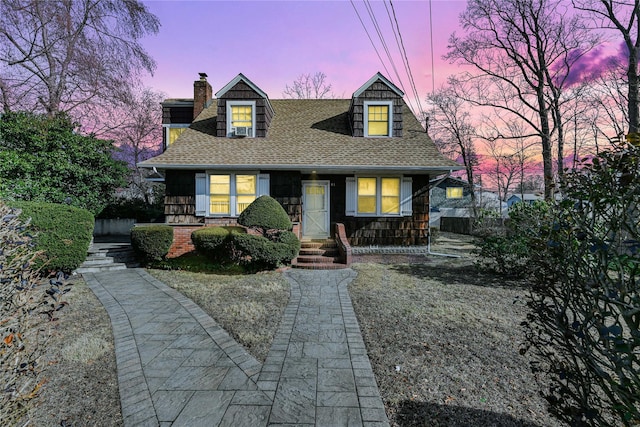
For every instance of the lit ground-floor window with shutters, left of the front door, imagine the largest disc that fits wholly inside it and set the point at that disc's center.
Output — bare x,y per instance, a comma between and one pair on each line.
228,194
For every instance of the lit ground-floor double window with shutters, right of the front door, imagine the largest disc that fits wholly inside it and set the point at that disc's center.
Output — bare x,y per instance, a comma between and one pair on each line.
379,196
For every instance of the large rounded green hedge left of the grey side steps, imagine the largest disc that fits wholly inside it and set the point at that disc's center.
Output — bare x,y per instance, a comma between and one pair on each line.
63,233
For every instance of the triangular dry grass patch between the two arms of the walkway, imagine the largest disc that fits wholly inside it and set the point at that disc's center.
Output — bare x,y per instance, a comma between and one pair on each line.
249,307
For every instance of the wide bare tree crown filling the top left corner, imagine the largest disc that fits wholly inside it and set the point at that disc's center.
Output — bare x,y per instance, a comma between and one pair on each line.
57,55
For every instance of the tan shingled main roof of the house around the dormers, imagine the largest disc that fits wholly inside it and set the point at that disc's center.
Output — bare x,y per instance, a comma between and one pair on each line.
311,134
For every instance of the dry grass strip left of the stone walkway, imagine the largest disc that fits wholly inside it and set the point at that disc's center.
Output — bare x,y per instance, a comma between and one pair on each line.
81,387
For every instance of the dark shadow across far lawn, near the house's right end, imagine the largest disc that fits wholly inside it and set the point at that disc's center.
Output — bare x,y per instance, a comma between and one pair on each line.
460,274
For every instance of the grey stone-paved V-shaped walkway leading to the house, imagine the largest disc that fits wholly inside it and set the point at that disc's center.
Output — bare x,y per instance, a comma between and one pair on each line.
177,367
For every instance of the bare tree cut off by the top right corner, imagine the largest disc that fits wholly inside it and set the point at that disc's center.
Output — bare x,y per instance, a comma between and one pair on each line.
621,16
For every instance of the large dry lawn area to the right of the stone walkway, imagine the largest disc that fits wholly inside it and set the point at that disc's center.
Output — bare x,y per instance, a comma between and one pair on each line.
443,340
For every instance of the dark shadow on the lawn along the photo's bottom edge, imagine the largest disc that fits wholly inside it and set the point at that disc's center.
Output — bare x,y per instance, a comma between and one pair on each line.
422,414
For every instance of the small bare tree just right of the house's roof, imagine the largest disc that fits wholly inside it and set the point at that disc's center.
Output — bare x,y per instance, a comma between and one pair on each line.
451,129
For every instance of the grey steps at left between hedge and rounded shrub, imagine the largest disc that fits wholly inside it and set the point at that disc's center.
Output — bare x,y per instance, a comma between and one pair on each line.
108,256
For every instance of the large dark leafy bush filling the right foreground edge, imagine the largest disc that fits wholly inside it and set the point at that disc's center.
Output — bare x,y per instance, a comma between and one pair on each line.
585,302
